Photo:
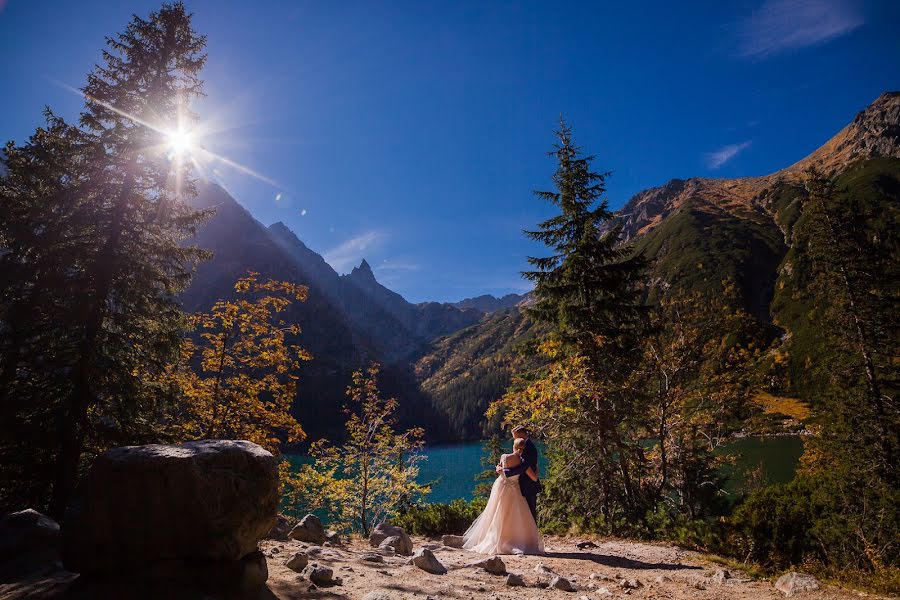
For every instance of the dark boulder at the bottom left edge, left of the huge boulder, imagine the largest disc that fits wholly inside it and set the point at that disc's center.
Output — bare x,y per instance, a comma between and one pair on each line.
29,543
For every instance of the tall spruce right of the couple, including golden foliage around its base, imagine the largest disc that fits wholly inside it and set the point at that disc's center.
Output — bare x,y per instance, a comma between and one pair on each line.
589,292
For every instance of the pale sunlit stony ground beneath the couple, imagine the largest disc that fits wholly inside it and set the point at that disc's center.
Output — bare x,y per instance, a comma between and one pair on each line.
613,569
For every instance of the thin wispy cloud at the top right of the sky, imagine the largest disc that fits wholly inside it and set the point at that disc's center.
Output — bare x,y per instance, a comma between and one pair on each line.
782,25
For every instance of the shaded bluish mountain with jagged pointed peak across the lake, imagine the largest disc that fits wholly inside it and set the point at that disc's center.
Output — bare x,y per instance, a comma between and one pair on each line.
346,321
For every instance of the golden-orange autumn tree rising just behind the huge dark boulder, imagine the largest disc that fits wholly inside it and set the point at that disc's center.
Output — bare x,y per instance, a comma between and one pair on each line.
237,377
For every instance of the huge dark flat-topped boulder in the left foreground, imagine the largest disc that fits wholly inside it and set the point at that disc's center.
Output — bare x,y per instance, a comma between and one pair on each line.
206,501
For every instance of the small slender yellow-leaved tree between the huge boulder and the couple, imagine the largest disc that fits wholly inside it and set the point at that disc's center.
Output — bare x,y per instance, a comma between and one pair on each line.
369,477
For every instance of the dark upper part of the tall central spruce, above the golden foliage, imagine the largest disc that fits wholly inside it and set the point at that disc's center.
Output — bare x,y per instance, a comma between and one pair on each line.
588,289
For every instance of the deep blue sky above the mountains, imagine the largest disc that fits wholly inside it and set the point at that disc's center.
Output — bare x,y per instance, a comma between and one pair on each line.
412,133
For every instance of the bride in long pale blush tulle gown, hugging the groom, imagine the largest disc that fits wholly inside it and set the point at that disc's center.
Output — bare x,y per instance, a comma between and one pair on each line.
506,525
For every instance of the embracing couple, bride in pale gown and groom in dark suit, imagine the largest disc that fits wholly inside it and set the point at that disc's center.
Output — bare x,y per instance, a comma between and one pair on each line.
508,524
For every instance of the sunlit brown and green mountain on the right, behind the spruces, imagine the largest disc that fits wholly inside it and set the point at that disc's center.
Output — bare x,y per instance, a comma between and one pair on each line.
698,232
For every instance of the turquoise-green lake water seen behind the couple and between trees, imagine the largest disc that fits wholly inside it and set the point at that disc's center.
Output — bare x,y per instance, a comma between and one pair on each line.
453,468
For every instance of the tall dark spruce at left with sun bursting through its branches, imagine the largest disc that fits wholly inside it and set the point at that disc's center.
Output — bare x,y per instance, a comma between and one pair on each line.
118,321
